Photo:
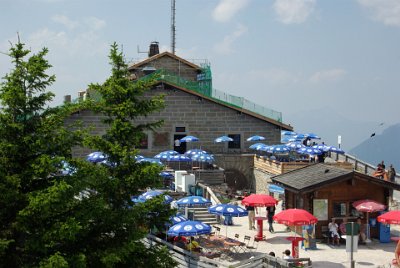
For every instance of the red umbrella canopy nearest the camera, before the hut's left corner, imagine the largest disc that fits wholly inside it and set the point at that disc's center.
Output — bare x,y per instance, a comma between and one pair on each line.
295,217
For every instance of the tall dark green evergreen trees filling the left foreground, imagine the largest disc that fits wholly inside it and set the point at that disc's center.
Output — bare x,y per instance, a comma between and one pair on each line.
85,218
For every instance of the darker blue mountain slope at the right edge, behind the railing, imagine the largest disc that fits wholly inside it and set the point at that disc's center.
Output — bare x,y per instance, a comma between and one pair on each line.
385,146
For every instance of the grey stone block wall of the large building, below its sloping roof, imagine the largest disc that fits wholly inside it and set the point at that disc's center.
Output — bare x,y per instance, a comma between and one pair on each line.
200,117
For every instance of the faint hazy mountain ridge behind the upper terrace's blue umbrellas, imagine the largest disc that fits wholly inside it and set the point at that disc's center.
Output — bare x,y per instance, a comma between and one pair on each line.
328,125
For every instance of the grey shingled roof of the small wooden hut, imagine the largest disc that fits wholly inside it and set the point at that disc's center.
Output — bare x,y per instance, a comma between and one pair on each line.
313,177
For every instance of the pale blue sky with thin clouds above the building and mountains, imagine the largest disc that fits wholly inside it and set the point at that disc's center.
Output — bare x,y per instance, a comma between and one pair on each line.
293,56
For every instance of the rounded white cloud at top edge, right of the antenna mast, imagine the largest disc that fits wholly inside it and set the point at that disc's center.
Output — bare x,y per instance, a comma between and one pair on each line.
293,11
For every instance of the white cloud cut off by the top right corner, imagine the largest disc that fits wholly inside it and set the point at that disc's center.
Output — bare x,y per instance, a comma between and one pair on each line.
387,11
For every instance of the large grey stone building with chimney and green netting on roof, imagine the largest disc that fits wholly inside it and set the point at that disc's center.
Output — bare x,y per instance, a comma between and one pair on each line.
194,108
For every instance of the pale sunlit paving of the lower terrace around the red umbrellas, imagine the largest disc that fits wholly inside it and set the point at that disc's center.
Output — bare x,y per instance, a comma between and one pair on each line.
374,254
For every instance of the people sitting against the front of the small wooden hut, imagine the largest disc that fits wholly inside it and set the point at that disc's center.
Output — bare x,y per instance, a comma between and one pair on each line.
337,232
